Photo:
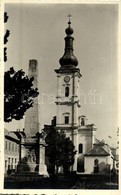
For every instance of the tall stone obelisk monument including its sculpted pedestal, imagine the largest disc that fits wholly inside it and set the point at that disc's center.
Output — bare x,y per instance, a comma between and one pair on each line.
32,147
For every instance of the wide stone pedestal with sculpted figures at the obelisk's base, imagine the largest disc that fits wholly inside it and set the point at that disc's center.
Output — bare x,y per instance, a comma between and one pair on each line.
32,157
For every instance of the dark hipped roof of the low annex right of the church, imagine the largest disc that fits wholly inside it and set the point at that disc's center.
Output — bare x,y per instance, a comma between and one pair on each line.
97,150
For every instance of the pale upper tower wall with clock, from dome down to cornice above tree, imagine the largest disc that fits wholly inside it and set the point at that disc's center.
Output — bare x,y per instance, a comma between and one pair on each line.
64,104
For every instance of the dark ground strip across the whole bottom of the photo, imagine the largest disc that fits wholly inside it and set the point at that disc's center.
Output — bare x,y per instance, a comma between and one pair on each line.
61,182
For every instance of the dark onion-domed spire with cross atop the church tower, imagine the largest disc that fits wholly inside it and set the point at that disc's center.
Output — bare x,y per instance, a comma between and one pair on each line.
68,60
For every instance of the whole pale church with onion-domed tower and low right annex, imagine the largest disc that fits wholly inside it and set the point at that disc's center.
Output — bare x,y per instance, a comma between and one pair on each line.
90,156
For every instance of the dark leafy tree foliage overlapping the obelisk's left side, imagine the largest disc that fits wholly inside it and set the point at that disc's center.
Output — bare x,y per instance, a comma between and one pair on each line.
19,94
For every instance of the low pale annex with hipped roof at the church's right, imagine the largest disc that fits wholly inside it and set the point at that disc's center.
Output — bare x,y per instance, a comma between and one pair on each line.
99,159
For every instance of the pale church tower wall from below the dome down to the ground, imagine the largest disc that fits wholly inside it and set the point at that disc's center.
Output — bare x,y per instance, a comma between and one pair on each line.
68,107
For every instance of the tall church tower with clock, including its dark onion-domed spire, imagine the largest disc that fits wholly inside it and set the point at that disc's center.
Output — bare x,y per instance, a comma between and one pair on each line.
67,99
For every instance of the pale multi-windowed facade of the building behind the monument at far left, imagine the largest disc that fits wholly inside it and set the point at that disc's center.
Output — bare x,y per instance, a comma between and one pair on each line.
11,150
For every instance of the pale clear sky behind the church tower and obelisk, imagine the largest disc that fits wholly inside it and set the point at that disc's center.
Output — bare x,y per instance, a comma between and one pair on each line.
37,31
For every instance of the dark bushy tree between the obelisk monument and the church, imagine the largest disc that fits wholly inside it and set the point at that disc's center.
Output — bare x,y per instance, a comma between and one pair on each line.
60,150
